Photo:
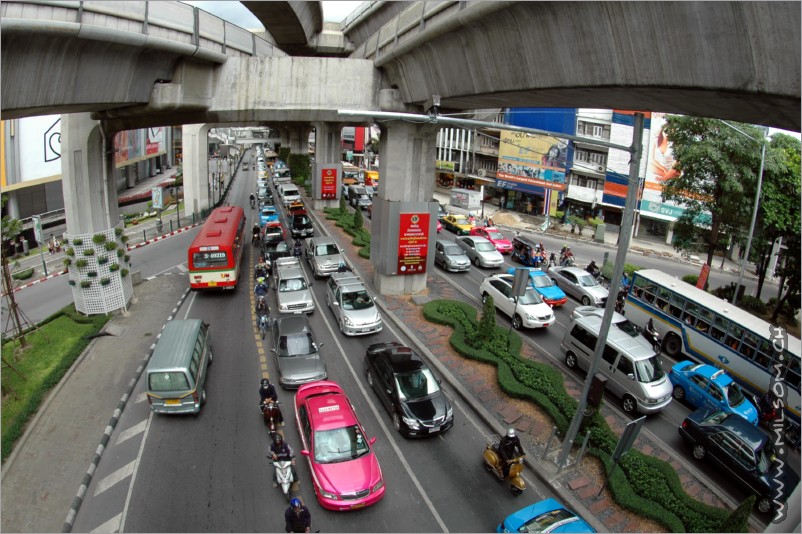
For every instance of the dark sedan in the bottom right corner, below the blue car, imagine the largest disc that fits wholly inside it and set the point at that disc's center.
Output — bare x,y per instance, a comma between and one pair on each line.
741,451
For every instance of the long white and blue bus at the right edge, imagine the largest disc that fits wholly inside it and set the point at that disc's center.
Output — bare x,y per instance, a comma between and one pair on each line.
709,330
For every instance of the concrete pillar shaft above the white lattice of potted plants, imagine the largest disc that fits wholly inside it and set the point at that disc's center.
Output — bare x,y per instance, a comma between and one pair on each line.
90,195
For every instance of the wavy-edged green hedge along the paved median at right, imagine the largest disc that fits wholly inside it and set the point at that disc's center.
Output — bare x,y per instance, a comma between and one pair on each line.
645,485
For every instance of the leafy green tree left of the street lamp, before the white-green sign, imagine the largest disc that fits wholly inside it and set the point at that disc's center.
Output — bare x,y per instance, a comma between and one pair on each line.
717,167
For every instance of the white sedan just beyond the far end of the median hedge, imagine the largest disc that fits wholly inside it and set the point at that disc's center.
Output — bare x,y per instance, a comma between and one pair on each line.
530,312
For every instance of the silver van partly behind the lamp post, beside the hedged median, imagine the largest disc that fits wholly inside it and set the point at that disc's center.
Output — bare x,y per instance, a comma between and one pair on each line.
633,371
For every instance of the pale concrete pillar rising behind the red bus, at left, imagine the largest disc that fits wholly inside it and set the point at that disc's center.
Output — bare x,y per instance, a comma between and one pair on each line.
195,145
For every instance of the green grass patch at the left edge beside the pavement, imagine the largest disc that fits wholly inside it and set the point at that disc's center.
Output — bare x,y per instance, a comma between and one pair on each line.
51,351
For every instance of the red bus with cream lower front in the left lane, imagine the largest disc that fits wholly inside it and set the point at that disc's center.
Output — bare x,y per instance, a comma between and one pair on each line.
215,255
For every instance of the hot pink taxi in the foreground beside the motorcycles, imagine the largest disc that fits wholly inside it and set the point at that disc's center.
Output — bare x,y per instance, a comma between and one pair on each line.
345,472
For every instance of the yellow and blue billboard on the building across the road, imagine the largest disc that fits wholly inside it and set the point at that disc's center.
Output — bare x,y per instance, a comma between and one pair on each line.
532,160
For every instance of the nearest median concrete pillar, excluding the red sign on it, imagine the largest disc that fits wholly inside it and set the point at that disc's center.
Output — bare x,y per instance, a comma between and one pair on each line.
406,184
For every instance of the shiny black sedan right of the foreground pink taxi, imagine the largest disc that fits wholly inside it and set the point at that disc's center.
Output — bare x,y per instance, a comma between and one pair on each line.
408,389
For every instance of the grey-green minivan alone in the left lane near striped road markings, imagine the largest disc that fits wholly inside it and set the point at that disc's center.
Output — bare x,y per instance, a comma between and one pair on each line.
175,377
